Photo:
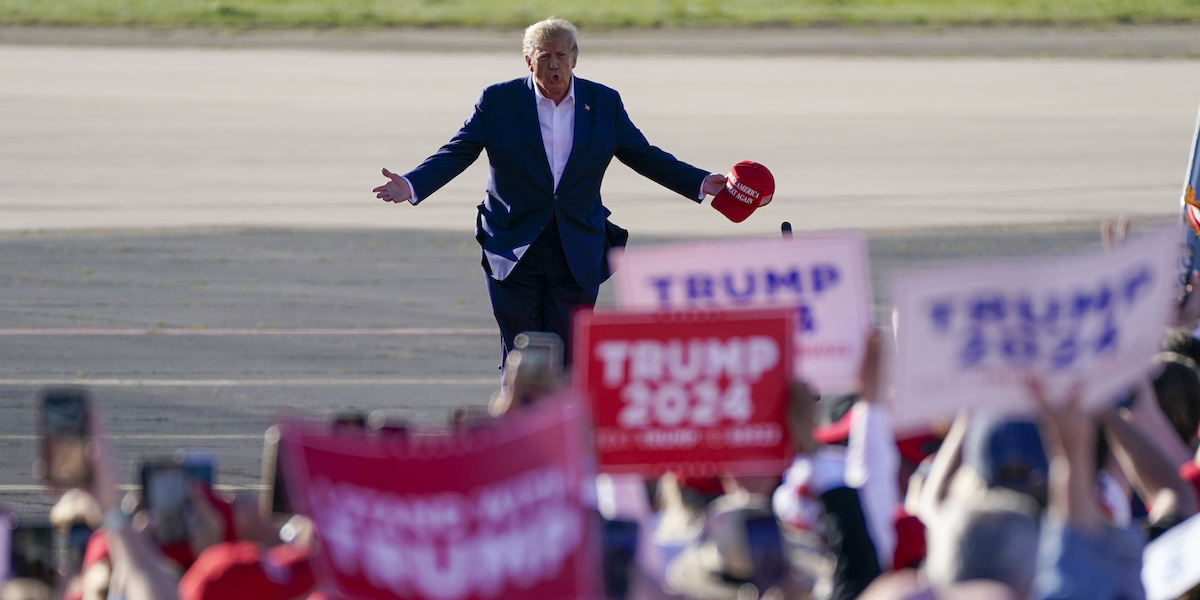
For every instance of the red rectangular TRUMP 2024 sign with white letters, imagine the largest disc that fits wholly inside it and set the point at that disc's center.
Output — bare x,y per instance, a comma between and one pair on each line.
693,393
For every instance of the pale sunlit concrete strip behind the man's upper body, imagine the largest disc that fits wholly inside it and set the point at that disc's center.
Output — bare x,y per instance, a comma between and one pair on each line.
110,137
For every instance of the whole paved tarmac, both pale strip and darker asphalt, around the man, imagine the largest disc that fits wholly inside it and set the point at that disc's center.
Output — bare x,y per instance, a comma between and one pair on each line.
188,231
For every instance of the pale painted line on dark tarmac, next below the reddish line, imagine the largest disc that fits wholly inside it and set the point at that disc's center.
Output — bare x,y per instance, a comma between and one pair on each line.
249,383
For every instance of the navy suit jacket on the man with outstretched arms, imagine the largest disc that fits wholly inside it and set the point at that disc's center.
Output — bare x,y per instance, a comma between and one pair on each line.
521,195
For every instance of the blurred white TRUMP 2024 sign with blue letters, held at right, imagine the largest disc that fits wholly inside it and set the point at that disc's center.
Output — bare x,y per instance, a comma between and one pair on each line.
973,337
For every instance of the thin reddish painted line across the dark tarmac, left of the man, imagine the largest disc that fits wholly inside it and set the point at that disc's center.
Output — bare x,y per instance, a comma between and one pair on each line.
254,332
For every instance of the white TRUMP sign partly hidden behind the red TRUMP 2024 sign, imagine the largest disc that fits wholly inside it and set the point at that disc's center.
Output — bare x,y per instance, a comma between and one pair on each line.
824,277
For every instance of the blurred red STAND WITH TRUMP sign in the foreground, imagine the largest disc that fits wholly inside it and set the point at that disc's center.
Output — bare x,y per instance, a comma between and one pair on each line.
497,512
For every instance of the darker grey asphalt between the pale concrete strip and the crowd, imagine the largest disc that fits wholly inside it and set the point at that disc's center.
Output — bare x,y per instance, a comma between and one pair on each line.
203,339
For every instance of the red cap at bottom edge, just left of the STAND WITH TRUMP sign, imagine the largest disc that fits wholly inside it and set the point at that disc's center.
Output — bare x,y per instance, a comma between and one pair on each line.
237,571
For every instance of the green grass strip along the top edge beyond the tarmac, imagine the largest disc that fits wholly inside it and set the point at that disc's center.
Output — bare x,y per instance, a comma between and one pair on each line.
591,14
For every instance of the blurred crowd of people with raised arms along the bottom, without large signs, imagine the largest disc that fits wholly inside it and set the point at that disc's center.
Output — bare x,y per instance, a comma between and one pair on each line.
1058,505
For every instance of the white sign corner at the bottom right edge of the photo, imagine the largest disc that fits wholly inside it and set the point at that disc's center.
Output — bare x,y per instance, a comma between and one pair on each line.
1169,566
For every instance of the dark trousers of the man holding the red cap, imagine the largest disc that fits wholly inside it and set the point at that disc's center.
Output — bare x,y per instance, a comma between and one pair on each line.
541,295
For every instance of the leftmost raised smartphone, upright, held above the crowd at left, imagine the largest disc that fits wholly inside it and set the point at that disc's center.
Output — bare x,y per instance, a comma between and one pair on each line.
64,425
